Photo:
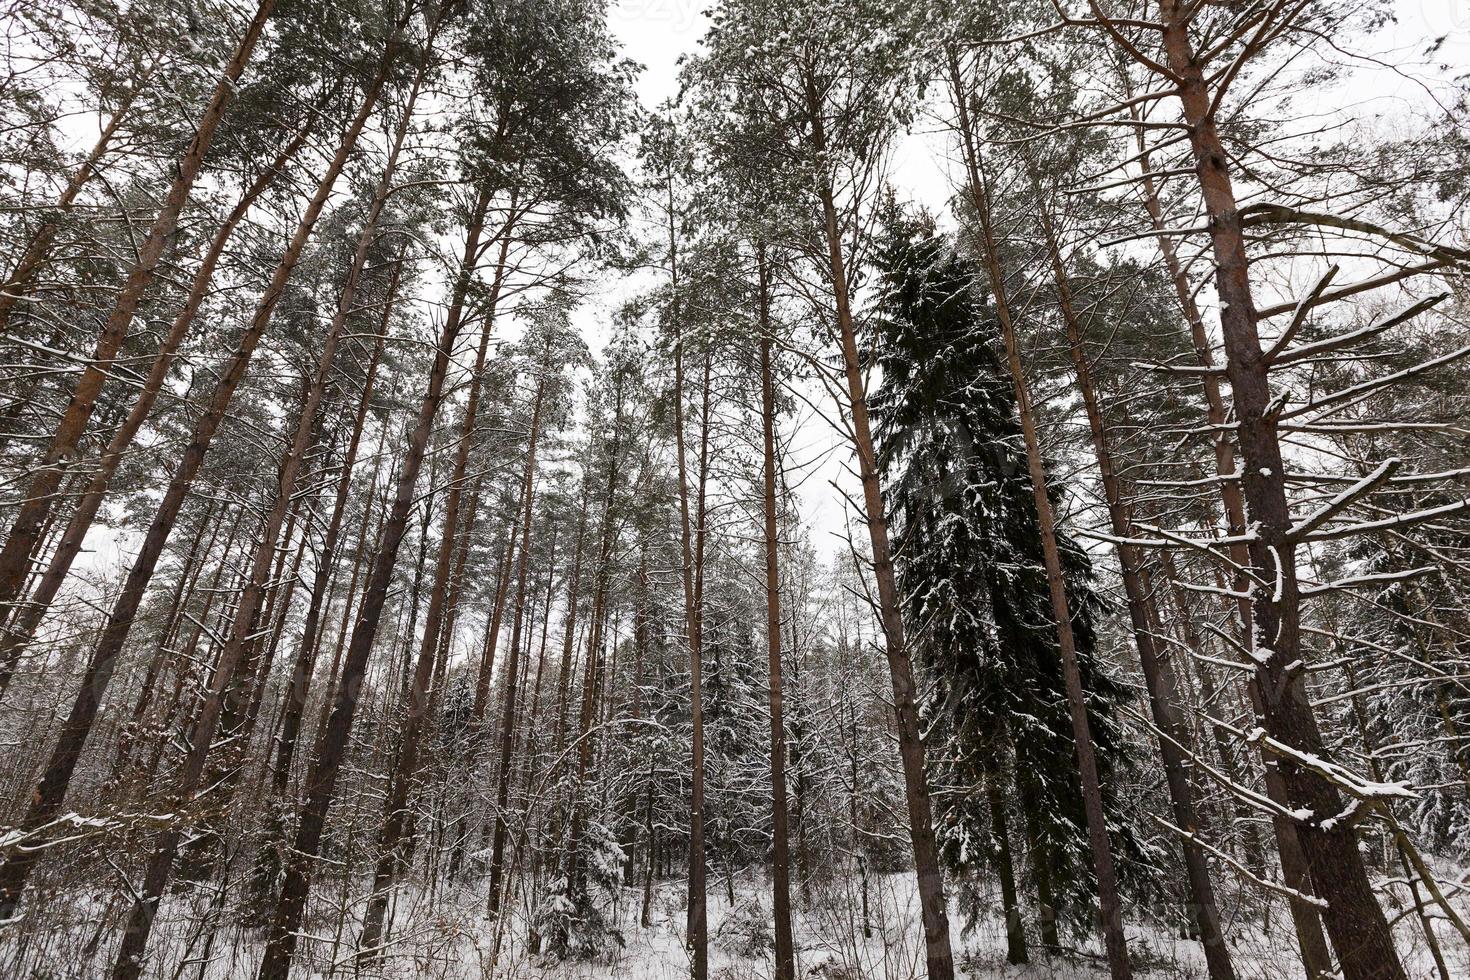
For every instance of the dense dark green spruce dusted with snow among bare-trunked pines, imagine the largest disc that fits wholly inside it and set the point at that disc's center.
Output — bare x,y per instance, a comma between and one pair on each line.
974,587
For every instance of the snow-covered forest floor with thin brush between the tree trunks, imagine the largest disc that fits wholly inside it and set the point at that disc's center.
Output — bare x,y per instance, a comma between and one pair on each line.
448,937
